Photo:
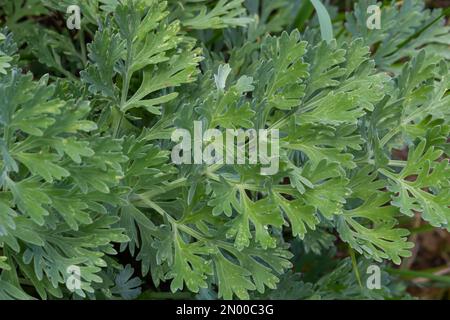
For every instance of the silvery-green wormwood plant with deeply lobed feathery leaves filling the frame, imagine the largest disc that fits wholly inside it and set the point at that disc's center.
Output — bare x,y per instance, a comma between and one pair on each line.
86,120
